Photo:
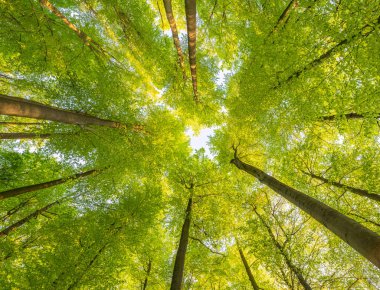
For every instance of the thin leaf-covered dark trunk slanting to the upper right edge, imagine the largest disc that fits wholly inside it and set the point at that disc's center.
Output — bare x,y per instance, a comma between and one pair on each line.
364,32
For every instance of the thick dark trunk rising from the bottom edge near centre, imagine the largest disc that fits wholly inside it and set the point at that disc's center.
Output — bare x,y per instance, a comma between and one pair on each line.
179,263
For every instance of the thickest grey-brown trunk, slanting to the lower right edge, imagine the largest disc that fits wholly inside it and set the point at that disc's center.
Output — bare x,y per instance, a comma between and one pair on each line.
363,240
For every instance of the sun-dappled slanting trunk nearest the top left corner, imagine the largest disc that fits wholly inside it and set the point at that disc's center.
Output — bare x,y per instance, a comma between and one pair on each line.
88,41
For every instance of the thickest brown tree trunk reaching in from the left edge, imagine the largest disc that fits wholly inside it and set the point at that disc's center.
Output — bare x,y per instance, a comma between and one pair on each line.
13,106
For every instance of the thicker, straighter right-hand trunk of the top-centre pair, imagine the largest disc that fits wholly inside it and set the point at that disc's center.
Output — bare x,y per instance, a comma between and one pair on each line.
191,21
